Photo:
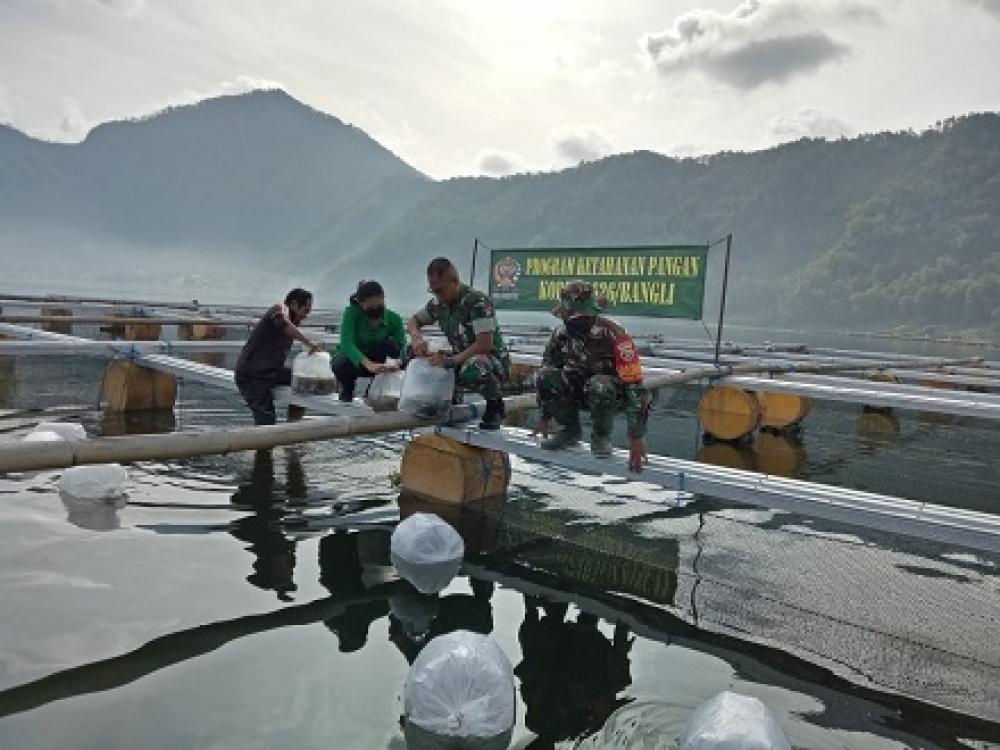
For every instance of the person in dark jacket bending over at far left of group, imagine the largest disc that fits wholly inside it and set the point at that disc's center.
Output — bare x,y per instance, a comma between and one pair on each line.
261,365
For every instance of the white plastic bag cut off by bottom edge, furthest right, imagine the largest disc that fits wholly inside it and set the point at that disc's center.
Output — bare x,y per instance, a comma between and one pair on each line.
731,721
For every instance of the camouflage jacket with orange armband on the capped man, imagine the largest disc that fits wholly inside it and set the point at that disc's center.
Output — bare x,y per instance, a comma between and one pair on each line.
601,353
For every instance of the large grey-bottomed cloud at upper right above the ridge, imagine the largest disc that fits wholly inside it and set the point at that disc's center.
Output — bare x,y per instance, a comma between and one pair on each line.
760,41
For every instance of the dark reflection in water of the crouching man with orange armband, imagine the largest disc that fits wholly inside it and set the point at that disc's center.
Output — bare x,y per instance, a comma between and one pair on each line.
571,673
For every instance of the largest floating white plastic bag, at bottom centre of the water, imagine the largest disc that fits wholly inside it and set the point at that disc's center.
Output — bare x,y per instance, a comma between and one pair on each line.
460,686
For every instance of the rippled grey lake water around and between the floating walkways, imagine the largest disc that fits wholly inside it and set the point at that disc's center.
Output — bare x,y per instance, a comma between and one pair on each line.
247,601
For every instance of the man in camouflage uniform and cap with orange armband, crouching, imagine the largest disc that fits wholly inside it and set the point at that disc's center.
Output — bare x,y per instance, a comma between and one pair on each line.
591,362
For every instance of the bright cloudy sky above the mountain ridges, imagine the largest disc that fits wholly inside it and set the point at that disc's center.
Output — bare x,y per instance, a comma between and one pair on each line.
494,86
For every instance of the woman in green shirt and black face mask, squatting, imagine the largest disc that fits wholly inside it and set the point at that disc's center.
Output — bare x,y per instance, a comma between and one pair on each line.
369,335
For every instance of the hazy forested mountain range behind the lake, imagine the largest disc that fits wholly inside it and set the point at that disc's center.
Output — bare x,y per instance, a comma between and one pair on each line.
244,195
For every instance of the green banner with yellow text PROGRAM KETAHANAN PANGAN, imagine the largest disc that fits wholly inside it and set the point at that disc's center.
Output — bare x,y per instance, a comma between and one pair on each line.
656,281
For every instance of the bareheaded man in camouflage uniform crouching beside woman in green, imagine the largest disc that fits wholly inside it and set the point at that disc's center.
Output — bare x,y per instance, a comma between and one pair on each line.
468,319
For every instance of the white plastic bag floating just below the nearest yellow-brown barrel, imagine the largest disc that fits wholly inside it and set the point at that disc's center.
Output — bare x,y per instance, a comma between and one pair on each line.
427,552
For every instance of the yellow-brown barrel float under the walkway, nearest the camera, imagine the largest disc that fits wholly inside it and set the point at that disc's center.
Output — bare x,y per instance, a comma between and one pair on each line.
442,470
